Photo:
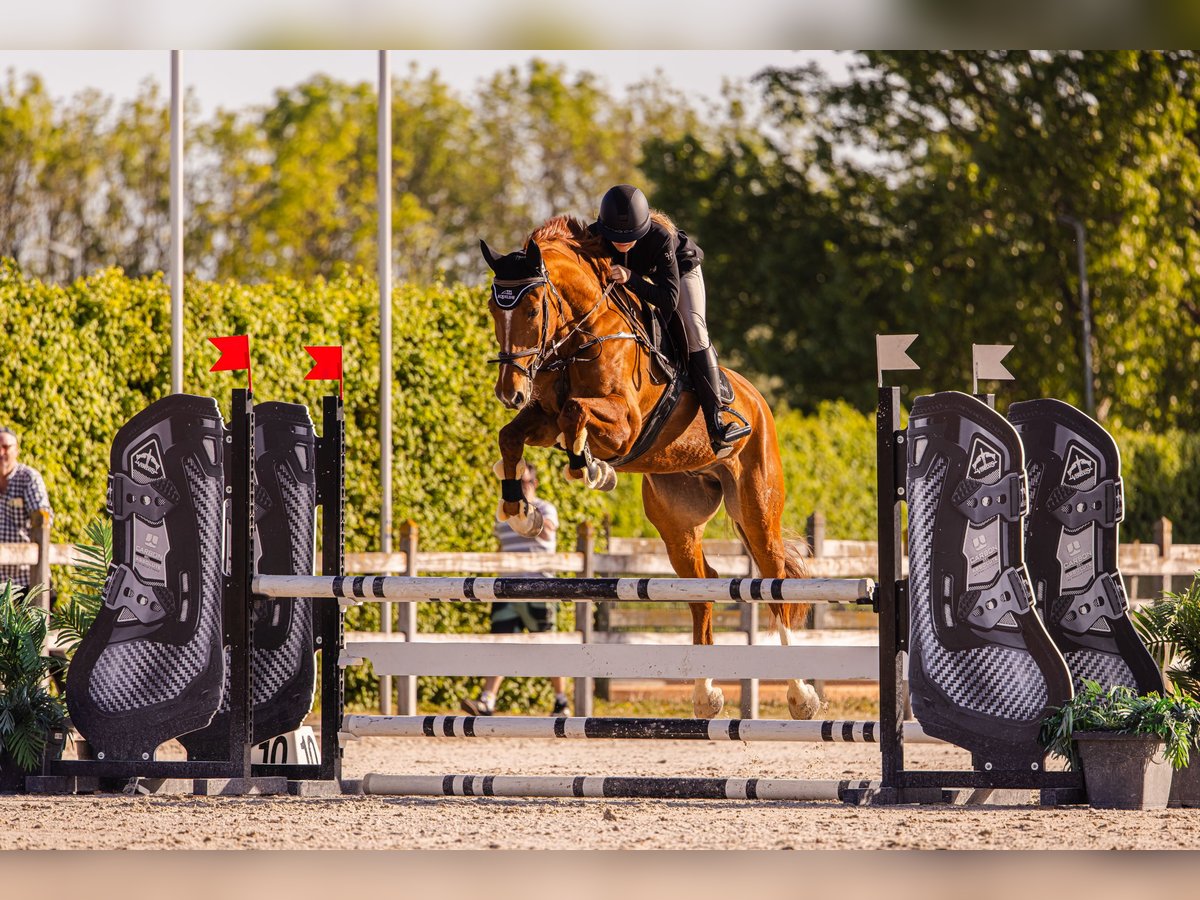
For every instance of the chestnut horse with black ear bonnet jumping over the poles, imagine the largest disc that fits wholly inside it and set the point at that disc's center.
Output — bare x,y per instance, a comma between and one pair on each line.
577,368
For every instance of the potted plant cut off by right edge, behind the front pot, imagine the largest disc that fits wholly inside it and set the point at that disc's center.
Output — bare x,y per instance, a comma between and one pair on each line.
1172,631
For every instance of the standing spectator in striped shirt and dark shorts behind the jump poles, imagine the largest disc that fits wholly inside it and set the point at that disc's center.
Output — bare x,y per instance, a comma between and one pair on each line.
514,619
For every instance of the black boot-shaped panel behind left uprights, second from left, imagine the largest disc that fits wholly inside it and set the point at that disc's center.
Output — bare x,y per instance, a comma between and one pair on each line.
285,513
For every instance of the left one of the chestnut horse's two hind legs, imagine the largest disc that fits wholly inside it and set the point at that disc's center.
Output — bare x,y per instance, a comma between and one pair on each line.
680,506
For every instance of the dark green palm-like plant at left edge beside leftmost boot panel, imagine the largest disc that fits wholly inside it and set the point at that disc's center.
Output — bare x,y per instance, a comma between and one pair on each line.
29,712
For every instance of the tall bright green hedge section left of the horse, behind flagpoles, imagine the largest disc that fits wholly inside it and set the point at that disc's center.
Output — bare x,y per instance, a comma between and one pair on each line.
82,359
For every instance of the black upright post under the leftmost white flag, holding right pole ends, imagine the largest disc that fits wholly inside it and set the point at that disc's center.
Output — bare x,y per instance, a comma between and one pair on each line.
892,592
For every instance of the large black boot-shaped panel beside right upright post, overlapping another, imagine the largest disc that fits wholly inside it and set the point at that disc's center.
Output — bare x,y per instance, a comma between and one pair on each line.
983,671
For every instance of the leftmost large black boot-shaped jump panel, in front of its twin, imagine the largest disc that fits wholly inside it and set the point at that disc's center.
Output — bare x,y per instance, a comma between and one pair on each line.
151,668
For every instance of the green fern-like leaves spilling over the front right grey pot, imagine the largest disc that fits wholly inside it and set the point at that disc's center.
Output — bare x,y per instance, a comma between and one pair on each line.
1173,719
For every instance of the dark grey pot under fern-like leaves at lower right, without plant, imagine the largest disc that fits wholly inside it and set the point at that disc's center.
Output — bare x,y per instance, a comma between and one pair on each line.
1125,771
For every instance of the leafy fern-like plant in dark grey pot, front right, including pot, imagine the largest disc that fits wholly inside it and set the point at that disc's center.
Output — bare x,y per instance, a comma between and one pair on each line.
1127,745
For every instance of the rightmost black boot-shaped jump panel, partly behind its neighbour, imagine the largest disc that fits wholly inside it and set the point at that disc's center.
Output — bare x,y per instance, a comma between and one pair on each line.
1071,545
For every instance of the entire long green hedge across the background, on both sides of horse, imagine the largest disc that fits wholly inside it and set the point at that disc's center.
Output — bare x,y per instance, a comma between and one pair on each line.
81,359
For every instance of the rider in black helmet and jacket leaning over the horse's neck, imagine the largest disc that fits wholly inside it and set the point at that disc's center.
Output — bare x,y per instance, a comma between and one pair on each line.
662,266
